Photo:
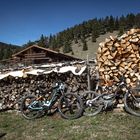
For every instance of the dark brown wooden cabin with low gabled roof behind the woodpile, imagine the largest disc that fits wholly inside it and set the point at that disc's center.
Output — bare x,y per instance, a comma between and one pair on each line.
36,55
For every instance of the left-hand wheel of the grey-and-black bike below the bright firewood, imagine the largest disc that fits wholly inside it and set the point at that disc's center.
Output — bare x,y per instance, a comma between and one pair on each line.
91,107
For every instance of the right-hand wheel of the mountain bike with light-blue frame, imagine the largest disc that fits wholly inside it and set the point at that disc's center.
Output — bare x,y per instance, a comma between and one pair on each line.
70,106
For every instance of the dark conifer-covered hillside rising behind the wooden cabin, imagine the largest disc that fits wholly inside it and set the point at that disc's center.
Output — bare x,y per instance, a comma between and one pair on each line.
82,35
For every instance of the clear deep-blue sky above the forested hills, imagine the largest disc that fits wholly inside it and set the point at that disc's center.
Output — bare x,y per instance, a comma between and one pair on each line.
24,20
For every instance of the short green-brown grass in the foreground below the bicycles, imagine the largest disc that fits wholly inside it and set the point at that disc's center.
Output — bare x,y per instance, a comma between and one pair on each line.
106,126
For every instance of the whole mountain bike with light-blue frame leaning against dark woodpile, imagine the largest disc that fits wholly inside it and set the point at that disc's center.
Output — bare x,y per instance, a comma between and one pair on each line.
69,105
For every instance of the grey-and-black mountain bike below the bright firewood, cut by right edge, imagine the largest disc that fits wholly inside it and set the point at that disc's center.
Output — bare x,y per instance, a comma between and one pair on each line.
105,98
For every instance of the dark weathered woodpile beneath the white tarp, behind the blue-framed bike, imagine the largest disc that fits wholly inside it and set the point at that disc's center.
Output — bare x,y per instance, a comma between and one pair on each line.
12,89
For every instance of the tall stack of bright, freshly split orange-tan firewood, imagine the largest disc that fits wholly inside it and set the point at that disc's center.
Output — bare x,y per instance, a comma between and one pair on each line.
120,56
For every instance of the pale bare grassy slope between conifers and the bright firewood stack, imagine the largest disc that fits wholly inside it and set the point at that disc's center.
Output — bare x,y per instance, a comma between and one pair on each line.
92,47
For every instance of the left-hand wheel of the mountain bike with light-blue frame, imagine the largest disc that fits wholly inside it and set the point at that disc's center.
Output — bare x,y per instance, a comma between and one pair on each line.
27,112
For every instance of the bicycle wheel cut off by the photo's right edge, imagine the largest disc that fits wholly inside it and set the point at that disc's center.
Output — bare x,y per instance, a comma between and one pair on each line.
132,103
